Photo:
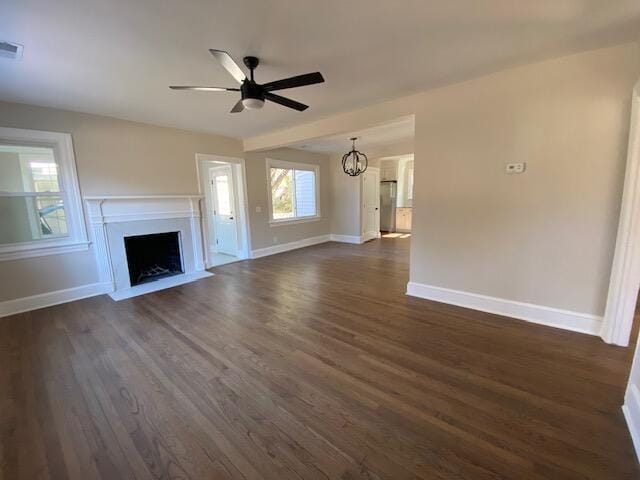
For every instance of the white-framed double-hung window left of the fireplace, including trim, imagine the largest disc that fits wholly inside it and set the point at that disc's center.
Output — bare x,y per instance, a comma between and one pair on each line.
40,210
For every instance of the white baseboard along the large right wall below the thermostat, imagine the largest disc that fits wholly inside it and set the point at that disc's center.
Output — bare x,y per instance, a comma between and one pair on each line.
553,317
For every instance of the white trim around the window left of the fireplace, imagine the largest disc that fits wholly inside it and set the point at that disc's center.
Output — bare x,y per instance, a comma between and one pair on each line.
62,146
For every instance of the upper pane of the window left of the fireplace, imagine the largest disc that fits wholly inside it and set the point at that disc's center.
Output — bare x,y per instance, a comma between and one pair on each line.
28,169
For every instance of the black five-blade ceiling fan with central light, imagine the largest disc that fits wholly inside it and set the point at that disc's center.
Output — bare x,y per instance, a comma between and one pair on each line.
253,95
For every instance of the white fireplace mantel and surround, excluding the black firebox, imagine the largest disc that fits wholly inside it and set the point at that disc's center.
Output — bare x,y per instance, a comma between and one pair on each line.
114,217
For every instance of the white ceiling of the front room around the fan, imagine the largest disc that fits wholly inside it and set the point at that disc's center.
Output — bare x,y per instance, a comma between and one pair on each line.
117,57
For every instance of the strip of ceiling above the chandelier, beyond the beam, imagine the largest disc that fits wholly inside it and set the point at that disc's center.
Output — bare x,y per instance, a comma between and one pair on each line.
380,135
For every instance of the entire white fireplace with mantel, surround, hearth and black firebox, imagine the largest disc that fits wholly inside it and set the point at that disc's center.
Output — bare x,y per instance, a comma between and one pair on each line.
114,219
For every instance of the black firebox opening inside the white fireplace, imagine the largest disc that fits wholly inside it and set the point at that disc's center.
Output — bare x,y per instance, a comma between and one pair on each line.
152,257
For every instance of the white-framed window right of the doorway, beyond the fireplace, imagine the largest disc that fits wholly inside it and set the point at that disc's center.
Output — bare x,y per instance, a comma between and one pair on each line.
293,191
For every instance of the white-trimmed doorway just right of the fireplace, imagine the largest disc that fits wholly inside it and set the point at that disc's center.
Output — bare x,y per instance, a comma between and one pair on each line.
222,181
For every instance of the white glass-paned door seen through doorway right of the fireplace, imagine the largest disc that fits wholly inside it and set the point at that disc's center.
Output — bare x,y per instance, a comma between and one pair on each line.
224,218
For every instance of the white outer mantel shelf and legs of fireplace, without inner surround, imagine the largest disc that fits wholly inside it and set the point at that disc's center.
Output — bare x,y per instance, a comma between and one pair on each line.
105,210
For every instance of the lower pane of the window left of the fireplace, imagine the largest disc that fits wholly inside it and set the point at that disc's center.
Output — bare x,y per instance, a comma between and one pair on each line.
24,219
